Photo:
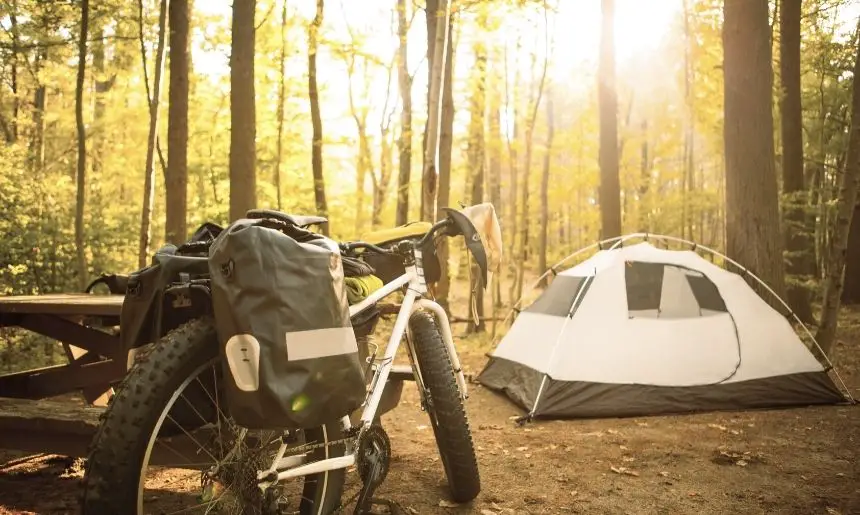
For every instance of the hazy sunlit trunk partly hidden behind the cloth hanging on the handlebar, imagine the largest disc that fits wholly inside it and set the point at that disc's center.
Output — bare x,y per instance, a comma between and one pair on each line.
476,160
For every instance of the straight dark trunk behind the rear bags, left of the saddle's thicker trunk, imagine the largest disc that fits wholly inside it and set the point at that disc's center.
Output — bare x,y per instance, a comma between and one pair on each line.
176,179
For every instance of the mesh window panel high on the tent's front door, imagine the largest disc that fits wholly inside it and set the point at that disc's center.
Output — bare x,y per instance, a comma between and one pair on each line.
660,290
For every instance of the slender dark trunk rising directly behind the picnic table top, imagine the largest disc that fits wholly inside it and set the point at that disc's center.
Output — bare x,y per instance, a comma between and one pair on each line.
83,274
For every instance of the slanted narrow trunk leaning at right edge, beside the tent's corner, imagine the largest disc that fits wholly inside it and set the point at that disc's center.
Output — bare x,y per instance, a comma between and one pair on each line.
846,203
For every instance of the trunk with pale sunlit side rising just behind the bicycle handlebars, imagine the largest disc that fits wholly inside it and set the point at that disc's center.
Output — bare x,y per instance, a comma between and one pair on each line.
437,11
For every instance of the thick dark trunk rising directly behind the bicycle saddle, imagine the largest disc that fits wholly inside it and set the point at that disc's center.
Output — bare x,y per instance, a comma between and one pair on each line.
243,118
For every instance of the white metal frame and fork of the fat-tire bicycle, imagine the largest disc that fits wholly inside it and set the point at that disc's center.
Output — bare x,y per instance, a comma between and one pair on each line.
416,288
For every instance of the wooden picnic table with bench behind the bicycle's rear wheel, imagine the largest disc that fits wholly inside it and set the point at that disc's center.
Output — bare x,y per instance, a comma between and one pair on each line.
38,409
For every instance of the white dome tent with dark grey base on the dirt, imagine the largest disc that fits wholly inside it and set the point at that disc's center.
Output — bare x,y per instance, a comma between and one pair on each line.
638,330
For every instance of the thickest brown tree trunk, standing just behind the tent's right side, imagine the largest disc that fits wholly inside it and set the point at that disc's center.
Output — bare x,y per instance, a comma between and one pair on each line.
752,210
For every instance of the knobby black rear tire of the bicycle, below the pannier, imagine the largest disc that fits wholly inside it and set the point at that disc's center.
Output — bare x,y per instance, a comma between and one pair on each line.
110,484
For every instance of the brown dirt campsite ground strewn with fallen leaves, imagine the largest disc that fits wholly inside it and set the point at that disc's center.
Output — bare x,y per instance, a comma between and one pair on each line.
796,461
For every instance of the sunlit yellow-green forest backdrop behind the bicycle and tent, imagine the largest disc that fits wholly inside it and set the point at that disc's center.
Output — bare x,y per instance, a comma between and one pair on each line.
331,104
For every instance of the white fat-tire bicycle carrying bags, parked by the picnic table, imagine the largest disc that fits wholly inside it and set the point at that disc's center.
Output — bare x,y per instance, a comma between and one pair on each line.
250,469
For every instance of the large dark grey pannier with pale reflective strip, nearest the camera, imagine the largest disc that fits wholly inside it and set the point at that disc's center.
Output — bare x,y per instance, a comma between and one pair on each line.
289,354
